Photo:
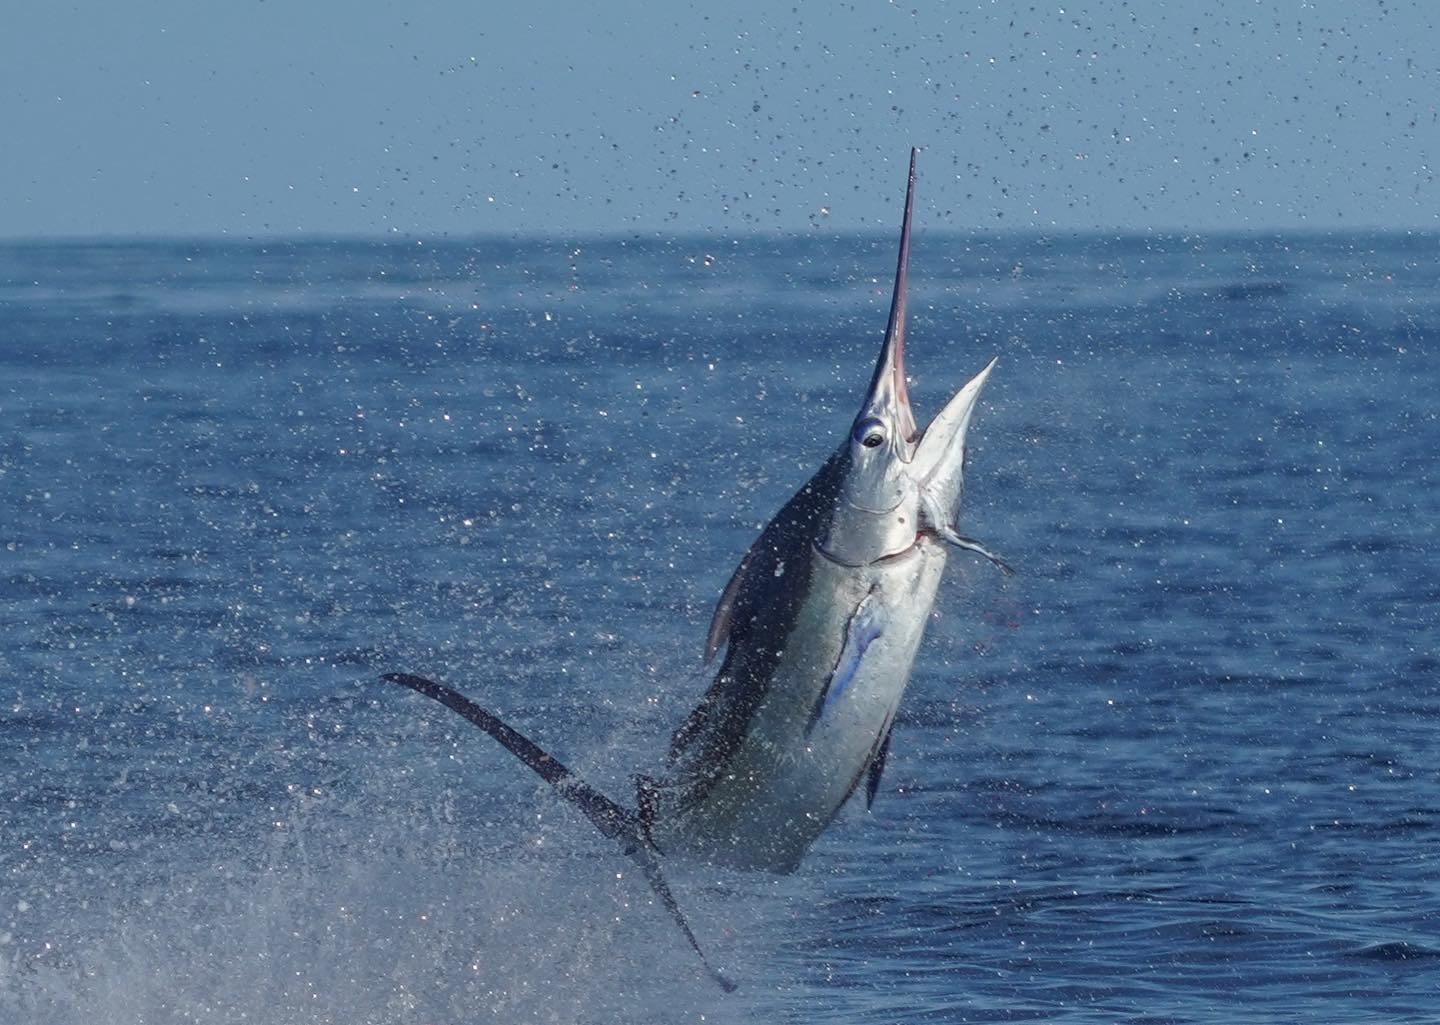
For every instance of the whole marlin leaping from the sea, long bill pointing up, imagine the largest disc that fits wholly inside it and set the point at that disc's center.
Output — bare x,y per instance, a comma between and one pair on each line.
820,627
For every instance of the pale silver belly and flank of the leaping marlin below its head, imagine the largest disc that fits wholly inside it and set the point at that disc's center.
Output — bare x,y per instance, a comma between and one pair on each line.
800,761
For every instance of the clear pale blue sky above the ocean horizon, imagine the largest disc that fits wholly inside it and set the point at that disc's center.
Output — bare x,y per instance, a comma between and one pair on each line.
261,119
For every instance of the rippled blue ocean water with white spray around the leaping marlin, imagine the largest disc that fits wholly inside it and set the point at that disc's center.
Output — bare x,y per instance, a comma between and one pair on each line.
1180,769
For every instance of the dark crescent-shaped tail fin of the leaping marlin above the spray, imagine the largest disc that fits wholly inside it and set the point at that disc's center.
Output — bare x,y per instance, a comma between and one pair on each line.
620,824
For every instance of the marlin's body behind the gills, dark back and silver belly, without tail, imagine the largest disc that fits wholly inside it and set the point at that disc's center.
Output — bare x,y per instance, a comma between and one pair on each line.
801,710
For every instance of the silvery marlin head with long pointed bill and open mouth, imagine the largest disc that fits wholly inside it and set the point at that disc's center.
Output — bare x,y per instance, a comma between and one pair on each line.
898,482
